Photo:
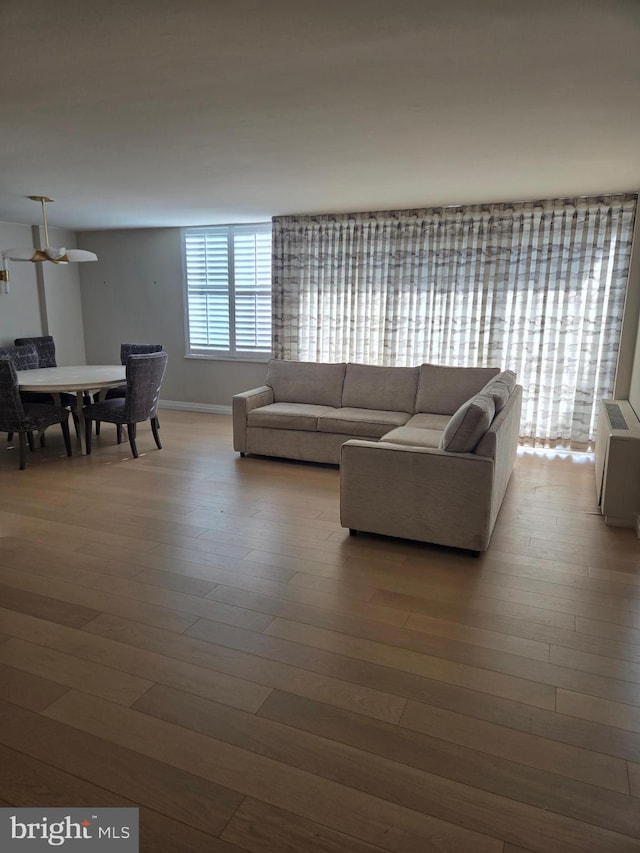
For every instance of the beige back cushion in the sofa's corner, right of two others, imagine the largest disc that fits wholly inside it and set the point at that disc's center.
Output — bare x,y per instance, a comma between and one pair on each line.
442,390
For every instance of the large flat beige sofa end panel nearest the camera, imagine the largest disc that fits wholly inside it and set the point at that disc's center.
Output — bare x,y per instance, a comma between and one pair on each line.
421,493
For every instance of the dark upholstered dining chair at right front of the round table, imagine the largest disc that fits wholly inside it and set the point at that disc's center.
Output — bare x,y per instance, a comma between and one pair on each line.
140,403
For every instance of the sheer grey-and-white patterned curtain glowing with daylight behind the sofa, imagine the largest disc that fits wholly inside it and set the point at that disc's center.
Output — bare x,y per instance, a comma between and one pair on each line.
537,287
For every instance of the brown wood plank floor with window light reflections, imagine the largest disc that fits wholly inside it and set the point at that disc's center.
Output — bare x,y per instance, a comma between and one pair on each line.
195,634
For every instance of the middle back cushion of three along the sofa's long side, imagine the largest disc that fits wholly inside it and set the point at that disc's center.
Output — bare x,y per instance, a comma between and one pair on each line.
388,389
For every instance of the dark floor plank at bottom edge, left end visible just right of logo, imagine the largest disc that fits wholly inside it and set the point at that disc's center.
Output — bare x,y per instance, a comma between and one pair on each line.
258,827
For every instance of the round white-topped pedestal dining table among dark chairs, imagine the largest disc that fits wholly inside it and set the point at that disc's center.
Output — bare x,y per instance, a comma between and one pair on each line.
73,379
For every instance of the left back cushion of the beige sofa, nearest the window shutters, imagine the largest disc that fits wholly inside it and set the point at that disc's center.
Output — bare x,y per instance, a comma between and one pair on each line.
306,382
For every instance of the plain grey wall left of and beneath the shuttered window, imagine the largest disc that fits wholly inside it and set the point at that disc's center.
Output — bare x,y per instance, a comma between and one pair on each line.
134,293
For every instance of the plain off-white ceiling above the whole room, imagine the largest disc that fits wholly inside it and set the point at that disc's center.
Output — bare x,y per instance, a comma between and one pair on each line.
144,113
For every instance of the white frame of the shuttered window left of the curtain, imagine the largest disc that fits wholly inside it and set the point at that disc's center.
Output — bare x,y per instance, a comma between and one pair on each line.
233,353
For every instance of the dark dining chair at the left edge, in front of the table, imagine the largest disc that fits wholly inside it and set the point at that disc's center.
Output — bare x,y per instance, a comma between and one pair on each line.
25,418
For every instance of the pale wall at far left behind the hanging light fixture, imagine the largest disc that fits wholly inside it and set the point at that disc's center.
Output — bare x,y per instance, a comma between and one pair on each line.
44,299
